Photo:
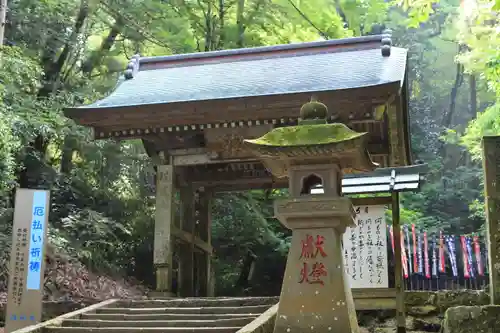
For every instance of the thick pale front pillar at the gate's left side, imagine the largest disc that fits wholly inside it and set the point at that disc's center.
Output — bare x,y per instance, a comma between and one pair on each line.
165,212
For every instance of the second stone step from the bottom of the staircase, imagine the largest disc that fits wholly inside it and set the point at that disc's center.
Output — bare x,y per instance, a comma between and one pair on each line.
157,323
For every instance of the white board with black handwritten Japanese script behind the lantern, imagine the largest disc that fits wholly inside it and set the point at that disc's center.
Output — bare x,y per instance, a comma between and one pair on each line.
365,249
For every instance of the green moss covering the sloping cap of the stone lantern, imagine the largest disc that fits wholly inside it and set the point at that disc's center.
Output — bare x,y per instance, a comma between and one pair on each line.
307,135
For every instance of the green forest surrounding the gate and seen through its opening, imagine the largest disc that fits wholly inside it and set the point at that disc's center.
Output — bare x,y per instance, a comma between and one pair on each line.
66,52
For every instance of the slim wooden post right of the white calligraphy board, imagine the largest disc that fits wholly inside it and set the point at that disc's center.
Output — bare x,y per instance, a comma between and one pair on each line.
398,273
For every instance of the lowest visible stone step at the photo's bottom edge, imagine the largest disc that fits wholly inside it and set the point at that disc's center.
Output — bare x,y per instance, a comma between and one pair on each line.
56,329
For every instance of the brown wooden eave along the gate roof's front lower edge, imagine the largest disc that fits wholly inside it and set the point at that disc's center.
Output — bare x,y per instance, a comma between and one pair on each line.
233,110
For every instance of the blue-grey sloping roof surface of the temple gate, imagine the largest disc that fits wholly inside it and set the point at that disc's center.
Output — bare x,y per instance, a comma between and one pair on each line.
276,73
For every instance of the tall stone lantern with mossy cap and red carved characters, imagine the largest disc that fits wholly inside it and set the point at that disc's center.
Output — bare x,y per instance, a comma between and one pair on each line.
315,295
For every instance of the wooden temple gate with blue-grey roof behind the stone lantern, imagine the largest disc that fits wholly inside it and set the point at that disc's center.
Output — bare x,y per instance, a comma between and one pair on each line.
193,111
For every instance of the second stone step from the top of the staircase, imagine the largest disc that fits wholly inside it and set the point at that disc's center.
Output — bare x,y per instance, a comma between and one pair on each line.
185,310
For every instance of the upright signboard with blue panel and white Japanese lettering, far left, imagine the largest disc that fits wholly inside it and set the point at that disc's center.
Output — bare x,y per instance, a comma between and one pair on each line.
29,235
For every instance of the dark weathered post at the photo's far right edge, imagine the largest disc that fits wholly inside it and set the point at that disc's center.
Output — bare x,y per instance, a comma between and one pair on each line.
491,166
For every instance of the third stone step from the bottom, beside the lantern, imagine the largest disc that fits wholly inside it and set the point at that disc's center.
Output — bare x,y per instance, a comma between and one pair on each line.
166,316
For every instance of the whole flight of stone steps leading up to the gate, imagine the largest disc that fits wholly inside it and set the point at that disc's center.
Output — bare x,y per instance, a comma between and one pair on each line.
224,315
